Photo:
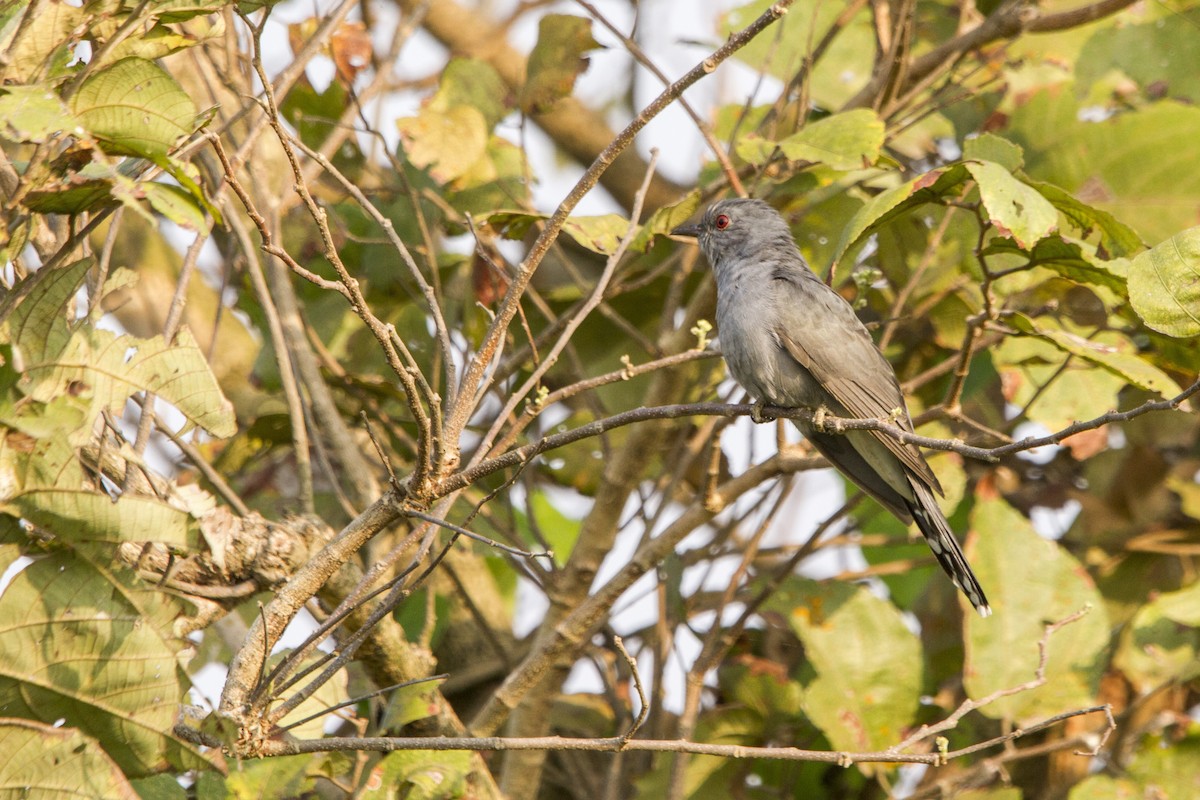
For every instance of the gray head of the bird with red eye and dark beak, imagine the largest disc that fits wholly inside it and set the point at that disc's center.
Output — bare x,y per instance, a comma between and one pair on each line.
739,228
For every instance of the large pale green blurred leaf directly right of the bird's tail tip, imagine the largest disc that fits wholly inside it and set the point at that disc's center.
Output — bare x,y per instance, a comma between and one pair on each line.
1031,582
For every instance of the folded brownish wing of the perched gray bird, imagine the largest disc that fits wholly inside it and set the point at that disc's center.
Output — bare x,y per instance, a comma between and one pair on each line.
861,380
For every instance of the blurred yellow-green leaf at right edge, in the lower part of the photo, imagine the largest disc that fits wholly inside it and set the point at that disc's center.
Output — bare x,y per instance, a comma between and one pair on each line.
1162,643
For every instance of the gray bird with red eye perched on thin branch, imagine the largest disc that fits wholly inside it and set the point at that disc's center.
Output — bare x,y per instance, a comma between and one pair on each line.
791,341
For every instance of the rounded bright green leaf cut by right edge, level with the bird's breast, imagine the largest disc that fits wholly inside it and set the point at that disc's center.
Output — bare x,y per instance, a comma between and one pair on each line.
1165,285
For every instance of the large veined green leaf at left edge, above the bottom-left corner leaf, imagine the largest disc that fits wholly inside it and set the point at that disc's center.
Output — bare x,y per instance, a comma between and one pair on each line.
76,645
